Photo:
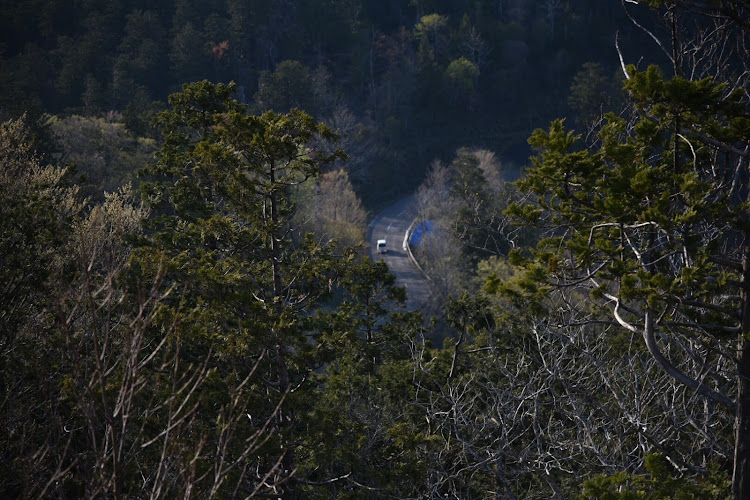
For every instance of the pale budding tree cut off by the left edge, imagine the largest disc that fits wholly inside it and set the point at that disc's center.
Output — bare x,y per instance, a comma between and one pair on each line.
37,207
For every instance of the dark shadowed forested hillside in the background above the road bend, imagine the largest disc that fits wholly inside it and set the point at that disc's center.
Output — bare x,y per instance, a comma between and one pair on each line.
405,81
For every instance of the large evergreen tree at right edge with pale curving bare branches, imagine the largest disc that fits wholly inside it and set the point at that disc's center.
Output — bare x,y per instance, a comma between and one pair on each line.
651,222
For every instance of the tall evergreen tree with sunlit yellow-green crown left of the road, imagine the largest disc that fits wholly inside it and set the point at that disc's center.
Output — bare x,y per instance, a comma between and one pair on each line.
224,179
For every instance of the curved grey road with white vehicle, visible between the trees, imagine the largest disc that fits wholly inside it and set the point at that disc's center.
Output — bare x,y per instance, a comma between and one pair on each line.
391,224
